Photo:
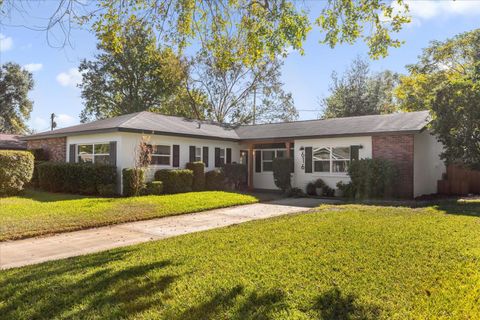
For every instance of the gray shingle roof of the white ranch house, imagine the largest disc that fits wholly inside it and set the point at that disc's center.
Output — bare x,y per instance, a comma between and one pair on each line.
153,123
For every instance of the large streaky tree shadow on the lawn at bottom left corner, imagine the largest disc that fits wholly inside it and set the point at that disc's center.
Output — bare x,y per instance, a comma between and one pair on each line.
86,287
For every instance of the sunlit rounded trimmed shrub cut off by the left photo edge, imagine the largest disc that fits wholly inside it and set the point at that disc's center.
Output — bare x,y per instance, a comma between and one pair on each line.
16,169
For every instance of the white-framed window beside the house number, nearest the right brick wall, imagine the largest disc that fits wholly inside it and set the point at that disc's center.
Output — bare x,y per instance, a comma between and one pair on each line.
331,159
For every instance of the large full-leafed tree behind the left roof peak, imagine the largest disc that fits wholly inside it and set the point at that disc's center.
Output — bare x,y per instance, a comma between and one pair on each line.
135,76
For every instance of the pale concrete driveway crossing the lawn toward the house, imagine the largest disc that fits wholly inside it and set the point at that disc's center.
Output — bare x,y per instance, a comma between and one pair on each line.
35,250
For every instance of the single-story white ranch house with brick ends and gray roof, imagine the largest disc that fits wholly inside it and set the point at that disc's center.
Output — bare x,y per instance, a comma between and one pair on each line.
320,148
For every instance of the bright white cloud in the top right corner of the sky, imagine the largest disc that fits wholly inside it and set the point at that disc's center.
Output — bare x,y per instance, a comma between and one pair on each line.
432,9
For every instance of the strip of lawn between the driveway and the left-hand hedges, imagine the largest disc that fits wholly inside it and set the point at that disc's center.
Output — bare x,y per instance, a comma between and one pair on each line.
38,213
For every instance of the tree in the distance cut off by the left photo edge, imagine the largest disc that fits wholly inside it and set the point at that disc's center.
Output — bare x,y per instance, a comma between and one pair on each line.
15,106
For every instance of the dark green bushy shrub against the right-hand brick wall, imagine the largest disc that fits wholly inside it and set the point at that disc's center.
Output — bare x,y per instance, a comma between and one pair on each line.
372,178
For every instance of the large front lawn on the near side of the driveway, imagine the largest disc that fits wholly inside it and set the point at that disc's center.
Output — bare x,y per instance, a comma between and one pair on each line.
338,262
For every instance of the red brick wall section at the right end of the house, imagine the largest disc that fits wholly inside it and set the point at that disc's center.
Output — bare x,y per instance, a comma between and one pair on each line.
399,149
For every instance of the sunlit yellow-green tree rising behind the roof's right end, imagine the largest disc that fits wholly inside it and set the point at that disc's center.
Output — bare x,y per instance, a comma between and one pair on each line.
441,63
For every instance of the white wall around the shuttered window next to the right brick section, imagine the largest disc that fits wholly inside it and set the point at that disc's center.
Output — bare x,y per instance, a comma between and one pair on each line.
301,179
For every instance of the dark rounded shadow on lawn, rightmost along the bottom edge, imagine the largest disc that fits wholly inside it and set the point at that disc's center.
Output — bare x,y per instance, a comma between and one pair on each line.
334,304
